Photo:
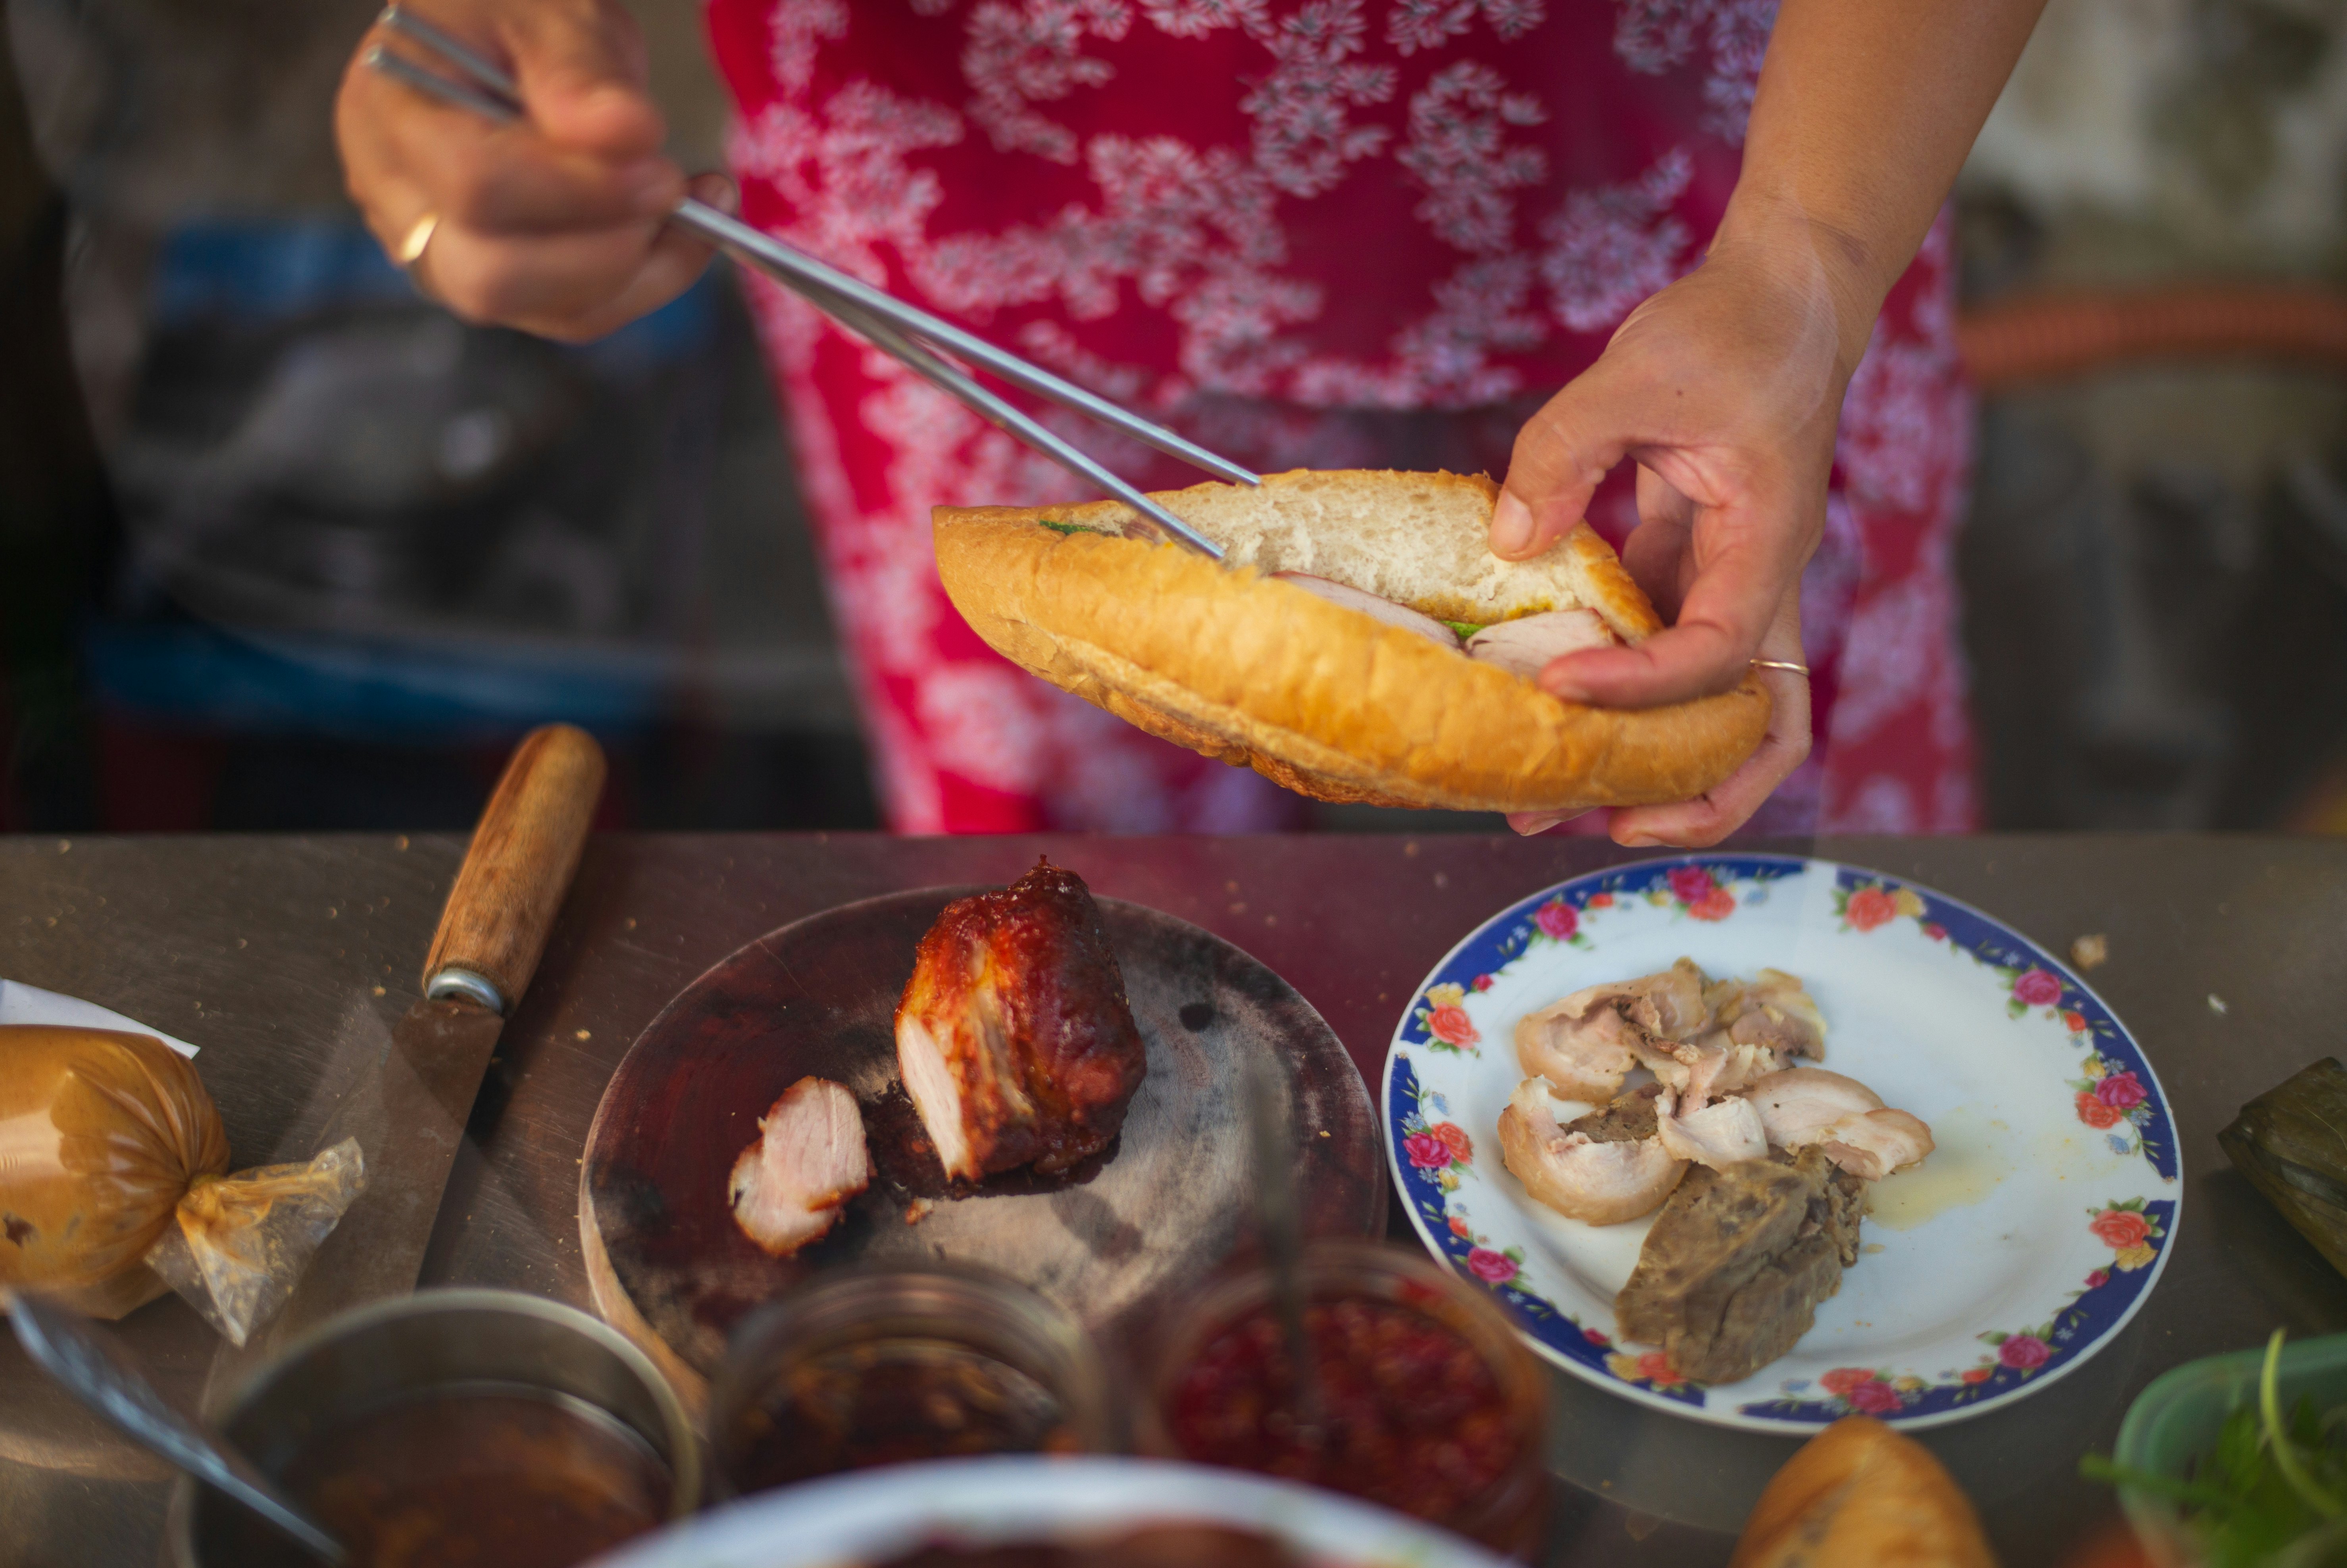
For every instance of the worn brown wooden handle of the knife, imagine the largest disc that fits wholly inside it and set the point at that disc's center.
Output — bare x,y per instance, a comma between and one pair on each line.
522,860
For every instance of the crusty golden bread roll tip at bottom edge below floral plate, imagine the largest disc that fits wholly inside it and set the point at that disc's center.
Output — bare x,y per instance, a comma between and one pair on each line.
1862,1496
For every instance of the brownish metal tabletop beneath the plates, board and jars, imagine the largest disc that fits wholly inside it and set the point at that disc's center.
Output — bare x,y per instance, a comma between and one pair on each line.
290,959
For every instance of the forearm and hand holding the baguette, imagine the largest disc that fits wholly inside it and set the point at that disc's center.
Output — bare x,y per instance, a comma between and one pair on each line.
1726,388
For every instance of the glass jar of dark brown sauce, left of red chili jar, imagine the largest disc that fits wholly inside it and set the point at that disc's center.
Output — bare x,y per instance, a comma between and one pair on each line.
879,1367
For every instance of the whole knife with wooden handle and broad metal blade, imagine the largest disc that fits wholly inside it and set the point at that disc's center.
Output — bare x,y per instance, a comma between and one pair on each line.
410,1109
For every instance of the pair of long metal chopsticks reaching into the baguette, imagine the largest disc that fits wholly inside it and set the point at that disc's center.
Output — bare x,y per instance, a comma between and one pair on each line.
895,327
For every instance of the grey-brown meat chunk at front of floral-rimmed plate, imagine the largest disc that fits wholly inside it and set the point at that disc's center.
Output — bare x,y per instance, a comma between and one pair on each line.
1738,1262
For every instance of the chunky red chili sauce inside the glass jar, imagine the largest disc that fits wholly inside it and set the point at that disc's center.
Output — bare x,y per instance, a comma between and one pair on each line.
1414,1417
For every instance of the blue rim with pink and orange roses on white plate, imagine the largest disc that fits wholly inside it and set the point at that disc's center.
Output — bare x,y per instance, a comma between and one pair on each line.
1440,1175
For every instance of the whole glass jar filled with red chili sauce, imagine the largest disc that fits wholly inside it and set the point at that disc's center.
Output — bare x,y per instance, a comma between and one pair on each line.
1430,1405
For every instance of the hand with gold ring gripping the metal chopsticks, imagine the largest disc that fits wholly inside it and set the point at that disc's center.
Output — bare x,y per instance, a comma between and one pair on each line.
550,224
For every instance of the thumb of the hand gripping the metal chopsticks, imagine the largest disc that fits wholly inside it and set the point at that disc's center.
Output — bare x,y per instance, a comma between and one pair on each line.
583,76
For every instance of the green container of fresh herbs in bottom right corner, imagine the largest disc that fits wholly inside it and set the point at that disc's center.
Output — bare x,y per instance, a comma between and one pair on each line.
2271,1494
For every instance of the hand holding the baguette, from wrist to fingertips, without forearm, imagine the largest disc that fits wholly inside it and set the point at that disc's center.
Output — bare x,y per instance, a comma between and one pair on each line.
1726,391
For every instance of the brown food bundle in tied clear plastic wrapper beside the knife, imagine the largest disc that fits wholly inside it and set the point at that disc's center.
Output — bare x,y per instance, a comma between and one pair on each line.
114,1184
